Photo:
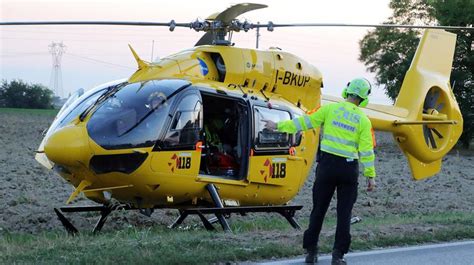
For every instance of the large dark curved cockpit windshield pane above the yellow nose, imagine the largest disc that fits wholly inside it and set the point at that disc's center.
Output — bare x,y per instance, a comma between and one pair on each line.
134,115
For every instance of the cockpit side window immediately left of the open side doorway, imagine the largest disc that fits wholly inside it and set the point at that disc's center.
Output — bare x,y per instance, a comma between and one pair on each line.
186,125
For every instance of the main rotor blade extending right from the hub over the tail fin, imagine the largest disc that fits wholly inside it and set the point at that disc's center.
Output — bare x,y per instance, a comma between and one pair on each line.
270,26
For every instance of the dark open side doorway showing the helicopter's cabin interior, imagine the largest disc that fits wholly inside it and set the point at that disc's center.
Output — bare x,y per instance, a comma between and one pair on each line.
221,133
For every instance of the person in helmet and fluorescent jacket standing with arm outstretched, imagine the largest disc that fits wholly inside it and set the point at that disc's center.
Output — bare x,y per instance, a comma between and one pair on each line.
347,139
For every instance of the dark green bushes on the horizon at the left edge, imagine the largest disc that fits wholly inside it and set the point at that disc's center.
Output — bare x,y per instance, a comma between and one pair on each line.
19,94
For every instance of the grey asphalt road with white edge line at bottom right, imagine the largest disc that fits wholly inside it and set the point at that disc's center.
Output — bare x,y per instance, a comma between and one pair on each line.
461,253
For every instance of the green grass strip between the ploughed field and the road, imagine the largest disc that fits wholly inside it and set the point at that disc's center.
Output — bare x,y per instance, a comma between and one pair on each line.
264,238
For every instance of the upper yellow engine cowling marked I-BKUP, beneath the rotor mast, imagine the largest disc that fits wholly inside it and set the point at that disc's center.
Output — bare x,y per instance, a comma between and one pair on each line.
271,71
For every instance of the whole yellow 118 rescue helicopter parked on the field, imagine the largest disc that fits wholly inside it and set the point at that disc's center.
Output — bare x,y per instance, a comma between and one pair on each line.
187,132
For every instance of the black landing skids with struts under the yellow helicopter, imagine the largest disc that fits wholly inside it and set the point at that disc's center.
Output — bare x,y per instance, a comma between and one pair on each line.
220,212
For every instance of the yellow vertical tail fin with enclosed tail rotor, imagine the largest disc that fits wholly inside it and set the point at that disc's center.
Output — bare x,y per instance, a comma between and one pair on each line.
434,122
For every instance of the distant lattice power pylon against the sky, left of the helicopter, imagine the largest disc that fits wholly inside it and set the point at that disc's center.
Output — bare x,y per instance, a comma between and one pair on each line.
57,49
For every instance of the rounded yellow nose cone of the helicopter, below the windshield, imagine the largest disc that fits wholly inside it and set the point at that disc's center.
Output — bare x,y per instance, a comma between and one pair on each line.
68,146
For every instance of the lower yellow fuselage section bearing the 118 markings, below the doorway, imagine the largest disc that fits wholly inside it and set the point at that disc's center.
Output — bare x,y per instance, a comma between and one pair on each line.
167,173
